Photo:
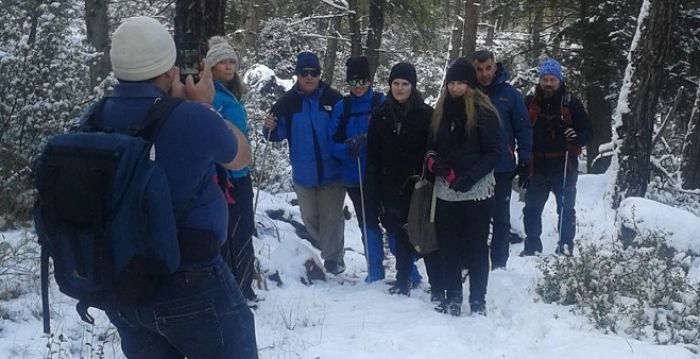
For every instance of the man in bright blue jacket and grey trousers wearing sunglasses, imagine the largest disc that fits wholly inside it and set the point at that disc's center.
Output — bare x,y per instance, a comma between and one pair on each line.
302,117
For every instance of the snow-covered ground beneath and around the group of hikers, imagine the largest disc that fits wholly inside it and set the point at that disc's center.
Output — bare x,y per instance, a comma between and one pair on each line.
346,318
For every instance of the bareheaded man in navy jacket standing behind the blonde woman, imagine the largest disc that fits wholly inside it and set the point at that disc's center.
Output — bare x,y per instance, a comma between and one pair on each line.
515,129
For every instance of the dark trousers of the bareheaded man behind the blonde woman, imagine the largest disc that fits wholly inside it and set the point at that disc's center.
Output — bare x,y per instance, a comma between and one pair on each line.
500,243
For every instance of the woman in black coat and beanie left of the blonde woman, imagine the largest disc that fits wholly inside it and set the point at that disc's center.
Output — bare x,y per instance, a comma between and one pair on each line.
396,143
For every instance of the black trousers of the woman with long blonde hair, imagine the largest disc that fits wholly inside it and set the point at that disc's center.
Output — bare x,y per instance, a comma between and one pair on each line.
462,231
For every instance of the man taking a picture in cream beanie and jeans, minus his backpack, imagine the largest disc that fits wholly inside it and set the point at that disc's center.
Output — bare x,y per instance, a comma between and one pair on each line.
198,311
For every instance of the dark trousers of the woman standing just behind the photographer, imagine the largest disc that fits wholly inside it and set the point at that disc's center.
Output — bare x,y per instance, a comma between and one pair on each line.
238,251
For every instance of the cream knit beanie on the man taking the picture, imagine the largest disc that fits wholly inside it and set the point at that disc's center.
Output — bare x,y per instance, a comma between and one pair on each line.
141,49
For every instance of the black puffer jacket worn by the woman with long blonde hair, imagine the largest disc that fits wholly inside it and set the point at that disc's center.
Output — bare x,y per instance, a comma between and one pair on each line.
472,154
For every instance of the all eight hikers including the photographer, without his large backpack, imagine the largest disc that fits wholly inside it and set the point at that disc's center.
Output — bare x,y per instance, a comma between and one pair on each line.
366,144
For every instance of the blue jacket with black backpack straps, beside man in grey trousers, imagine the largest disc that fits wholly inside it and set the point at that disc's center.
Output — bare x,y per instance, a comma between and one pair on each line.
358,122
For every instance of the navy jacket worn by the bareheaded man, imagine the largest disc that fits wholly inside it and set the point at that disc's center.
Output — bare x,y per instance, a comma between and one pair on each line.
515,126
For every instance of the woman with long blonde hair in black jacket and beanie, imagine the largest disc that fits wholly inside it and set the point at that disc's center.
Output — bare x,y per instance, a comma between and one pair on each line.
463,151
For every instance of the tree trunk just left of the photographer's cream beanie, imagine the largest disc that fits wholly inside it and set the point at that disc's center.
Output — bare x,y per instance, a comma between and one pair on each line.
97,28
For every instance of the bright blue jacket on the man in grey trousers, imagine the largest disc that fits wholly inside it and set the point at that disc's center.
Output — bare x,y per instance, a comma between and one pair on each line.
303,121
